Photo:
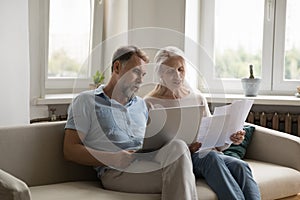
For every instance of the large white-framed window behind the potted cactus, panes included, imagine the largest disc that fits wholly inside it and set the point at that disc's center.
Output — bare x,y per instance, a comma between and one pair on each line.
265,34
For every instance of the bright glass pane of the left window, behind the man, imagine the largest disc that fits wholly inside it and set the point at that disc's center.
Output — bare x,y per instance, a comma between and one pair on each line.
69,35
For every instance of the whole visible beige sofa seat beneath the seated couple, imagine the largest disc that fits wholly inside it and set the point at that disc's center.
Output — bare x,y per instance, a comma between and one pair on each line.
274,182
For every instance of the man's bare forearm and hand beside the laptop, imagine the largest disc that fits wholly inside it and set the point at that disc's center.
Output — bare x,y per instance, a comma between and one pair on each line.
75,151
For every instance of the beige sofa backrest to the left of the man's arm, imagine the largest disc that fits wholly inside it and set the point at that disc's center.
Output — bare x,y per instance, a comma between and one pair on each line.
34,154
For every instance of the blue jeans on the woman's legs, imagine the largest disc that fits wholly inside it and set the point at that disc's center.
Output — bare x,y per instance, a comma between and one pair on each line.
230,178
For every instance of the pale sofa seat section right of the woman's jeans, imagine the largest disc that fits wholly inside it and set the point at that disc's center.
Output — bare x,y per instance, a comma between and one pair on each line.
275,181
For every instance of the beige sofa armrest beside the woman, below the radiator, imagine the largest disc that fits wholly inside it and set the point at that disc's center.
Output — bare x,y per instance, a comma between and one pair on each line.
274,147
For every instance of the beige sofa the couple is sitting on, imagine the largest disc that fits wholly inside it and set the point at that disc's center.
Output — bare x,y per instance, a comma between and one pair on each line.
32,167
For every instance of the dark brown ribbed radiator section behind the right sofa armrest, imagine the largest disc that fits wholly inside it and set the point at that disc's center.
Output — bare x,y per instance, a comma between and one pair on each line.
285,122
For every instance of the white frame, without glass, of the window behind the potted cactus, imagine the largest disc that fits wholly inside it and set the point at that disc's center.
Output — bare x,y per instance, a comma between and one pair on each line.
272,80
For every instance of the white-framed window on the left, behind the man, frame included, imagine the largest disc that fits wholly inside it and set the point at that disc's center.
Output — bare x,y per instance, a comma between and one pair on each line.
70,30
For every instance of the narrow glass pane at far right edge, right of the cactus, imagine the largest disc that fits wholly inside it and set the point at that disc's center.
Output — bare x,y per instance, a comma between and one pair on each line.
292,41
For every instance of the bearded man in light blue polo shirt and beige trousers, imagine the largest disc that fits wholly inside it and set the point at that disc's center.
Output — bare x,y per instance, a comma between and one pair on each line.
107,125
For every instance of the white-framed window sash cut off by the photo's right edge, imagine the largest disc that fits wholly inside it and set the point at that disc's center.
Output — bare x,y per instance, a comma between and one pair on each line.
287,45
